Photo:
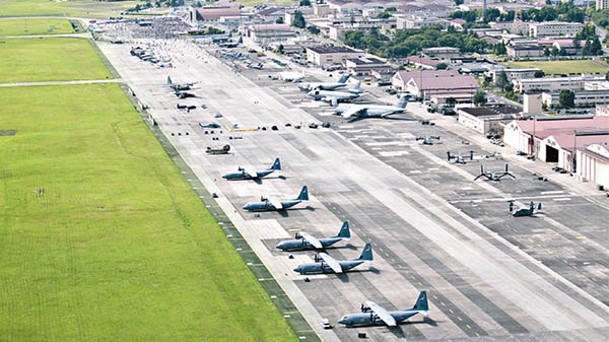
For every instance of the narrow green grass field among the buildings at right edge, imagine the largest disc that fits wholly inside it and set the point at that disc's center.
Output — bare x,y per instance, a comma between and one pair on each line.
563,67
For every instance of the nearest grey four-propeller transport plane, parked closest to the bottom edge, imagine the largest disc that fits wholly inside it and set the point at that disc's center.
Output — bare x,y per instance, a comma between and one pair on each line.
373,314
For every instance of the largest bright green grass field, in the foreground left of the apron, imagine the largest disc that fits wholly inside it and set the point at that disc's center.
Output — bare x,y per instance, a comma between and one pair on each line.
101,236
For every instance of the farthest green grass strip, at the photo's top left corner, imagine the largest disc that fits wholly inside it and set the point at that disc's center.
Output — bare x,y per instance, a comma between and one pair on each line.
73,8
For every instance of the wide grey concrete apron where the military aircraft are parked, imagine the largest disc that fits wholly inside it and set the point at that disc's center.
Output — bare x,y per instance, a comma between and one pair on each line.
488,275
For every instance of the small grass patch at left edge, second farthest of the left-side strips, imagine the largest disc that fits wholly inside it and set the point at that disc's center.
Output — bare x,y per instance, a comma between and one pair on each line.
31,26
